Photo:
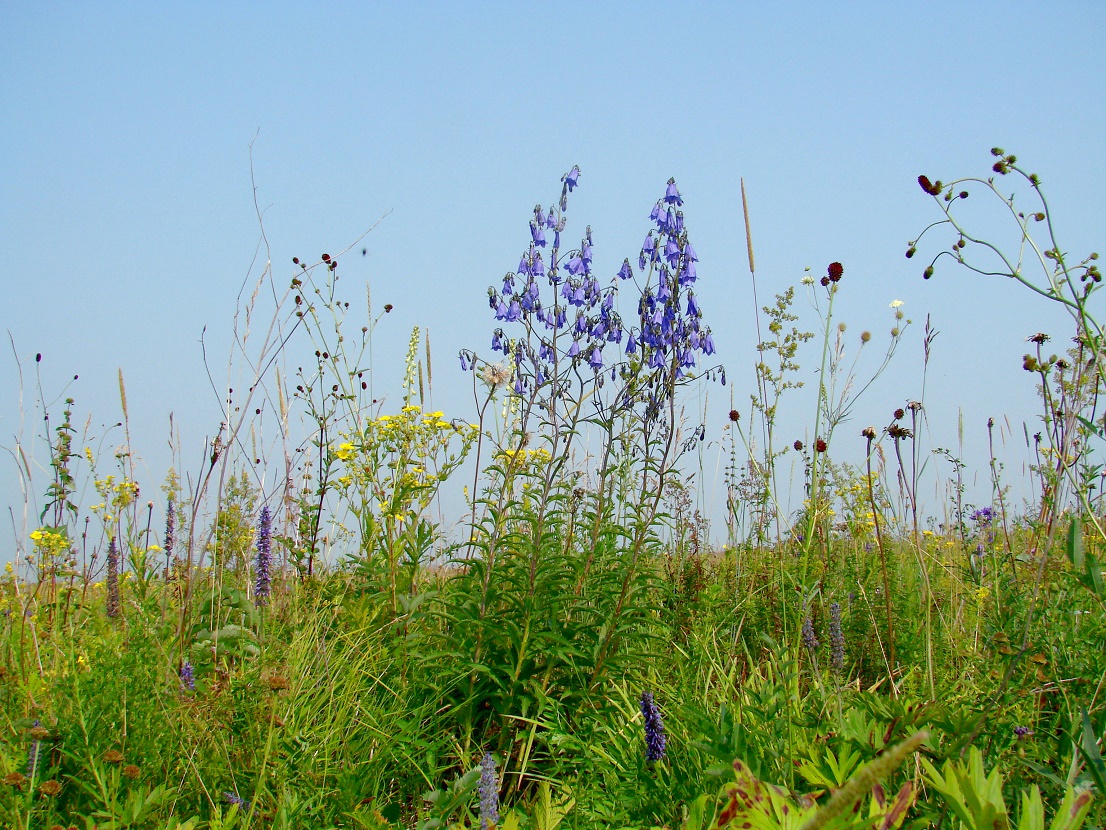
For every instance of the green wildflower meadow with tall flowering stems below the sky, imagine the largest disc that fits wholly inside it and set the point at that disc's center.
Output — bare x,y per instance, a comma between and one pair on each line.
285,634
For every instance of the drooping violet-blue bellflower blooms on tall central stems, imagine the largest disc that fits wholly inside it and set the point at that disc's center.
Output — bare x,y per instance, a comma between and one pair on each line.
577,327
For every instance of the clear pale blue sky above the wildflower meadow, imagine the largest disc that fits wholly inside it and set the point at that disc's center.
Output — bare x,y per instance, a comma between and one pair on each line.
128,223
